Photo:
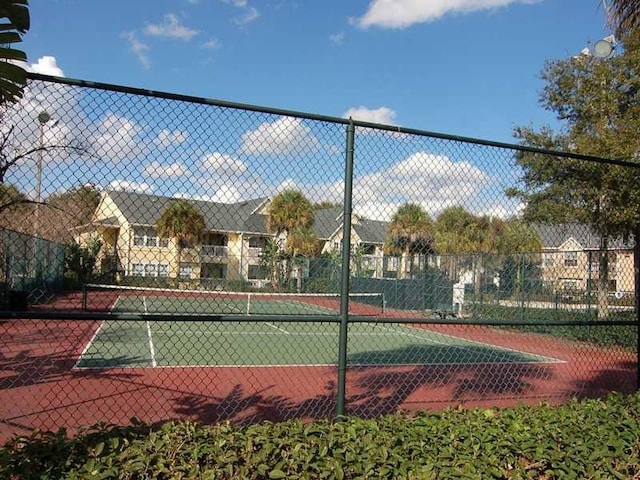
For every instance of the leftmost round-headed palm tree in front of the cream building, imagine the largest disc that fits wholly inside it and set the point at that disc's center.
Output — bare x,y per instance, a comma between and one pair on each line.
184,223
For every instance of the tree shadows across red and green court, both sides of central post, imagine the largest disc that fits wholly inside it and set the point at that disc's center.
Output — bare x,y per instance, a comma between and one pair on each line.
382,382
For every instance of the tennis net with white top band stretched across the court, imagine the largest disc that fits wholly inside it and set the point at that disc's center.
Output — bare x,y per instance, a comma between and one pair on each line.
148,300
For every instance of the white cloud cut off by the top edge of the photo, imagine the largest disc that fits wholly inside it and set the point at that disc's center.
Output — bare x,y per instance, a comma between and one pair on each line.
404,13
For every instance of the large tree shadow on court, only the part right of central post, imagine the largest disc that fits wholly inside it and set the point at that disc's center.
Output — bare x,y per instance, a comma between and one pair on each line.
446,374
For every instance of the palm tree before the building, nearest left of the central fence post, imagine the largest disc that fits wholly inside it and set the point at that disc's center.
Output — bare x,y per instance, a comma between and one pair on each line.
290,212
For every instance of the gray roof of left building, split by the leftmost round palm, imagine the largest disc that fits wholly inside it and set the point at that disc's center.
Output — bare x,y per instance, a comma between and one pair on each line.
145,209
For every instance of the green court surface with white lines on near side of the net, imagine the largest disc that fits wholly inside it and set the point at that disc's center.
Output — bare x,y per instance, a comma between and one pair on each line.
123,344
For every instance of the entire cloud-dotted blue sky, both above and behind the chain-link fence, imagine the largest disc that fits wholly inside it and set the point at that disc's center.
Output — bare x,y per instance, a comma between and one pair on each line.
462,67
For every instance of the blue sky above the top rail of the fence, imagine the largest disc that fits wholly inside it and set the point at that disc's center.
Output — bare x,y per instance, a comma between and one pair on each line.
465,67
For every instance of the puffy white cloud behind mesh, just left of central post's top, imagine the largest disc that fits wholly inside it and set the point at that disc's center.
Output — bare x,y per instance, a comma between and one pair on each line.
283,136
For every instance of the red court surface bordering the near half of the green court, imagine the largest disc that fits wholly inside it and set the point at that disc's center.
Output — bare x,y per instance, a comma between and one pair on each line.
41,389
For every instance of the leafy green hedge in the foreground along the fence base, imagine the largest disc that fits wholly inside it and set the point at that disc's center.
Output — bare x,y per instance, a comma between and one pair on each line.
582,439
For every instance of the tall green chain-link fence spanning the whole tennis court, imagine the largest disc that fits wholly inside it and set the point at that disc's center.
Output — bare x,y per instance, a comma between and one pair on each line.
219,261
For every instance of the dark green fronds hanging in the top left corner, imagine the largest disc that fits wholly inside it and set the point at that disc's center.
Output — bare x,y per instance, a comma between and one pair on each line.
15,22
